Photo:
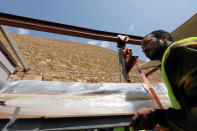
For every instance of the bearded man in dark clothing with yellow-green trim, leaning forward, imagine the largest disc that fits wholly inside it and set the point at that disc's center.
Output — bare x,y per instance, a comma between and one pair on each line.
179,71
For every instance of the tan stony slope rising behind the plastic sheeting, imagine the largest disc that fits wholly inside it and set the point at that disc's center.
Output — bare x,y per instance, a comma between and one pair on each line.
58,60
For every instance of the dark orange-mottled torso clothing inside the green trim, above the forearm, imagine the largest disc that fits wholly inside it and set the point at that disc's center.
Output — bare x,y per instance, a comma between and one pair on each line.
181,70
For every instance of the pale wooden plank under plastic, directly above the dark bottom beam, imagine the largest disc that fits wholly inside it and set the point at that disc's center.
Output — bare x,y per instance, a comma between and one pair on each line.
62,105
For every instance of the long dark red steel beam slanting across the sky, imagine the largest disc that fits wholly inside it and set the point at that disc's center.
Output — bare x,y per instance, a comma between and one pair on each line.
52,27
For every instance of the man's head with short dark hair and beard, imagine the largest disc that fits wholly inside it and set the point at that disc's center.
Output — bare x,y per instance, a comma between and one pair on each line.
155,44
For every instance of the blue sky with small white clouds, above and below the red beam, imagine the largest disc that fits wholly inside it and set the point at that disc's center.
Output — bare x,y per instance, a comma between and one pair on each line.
133,17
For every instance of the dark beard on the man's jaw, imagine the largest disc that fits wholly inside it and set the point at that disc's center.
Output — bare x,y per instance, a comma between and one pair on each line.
157,53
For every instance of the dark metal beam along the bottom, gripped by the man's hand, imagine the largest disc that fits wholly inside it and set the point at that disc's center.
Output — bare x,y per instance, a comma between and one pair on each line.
70,123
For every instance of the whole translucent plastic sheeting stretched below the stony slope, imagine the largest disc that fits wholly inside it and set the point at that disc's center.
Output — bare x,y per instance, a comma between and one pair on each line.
66,99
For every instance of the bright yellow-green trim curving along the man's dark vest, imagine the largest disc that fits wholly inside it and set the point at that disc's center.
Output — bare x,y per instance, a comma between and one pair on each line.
173,100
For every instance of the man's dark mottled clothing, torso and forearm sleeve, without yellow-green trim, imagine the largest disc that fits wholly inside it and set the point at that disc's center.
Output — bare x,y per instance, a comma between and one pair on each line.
181,70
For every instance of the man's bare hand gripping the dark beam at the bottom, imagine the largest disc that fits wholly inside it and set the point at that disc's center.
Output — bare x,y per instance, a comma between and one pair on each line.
144,119
